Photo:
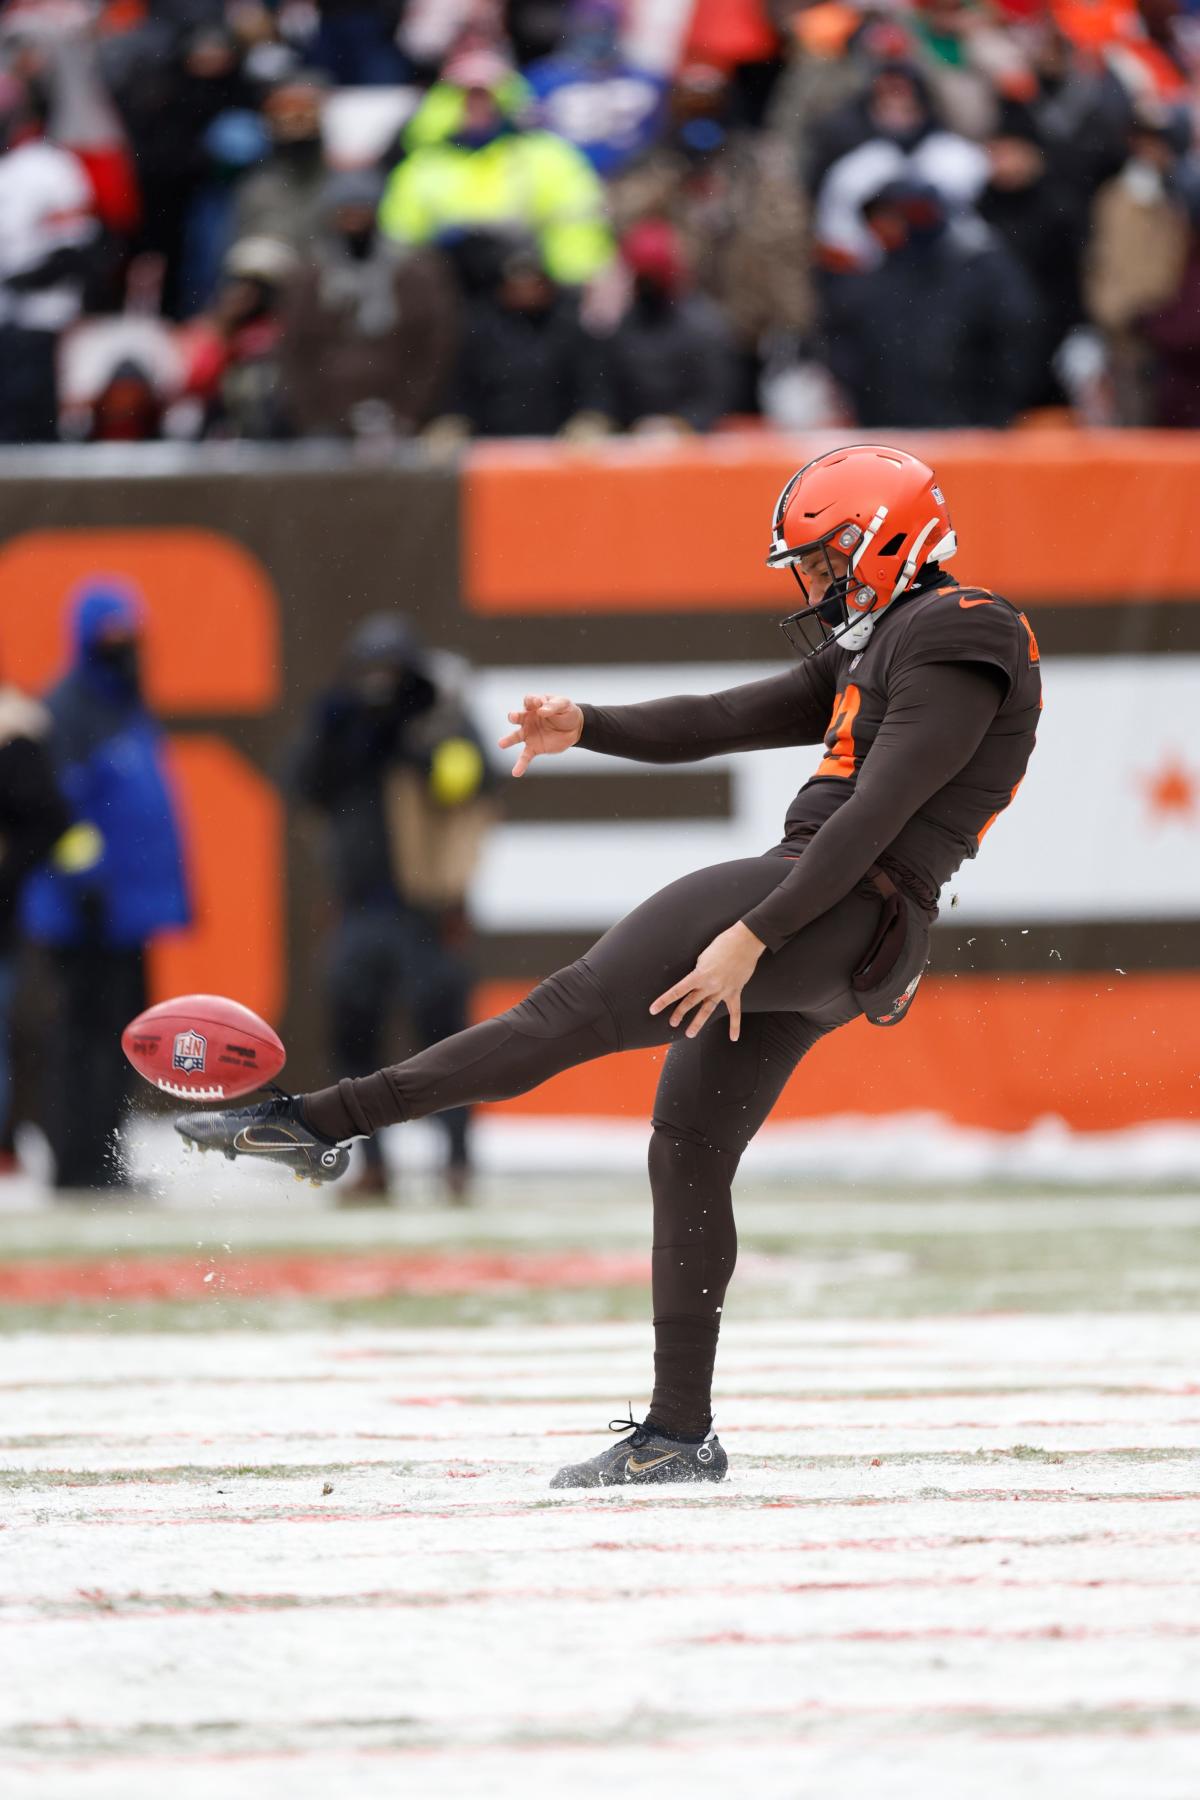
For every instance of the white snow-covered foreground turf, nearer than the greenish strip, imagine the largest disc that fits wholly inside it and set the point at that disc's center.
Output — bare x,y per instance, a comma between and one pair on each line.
954,1552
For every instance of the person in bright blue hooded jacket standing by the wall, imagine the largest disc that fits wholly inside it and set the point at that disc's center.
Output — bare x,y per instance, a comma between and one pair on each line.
98,921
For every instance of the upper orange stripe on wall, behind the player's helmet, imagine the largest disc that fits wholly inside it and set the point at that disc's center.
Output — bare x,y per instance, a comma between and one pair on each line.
632,526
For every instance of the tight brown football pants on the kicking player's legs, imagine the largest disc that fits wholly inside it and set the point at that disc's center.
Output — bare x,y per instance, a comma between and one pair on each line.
712,1099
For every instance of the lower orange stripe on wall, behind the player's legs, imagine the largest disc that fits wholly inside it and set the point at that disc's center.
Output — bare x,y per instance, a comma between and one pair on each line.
1098,1052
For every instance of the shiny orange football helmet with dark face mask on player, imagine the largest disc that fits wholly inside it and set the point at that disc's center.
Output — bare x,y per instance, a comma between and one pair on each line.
879,507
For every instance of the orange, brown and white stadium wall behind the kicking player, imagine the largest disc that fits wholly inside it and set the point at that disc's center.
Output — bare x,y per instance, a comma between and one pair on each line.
1066,976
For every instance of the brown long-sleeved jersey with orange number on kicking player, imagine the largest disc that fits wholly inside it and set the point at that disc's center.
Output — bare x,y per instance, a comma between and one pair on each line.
927,735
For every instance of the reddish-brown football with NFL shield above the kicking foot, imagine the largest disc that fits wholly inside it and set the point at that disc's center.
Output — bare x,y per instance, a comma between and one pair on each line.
202,1047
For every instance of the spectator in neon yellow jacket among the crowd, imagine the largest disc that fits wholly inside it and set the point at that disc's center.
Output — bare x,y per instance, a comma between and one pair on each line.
472,166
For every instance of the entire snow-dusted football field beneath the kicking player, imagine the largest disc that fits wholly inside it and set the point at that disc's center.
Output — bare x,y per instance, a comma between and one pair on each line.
273,1551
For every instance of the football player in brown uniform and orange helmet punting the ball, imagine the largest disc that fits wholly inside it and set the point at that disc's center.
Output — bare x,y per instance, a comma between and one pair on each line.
926,697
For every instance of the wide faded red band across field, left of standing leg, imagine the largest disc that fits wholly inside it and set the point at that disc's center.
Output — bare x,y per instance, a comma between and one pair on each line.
328,1277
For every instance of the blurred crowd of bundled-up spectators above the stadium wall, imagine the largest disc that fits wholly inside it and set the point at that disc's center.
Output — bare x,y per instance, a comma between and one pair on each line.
381,219
